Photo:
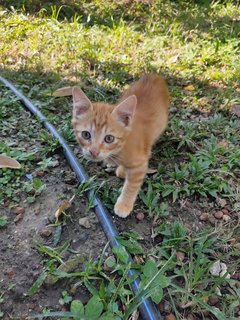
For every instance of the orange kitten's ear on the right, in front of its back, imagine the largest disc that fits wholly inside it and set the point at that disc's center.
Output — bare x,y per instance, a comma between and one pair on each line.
125,110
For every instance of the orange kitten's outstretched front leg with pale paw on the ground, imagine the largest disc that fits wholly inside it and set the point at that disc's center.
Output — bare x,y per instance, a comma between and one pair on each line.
132,184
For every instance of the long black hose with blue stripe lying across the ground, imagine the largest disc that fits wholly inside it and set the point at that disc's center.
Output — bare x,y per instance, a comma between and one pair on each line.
147,308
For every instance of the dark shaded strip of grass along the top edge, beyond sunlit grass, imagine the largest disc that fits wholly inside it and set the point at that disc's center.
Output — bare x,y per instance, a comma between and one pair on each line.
193,15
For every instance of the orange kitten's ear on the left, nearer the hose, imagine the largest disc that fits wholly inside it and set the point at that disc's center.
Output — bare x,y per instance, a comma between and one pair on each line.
81,103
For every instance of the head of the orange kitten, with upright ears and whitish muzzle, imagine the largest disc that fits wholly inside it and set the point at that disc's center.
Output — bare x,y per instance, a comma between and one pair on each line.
101,129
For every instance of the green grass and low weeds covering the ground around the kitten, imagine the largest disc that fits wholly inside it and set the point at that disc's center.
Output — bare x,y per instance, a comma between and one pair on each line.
103,47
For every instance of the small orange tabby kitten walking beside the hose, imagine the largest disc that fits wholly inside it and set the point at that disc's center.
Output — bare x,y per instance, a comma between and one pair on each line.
124,133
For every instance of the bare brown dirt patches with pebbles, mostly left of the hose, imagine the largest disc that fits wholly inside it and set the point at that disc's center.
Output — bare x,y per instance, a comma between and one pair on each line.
21,264
